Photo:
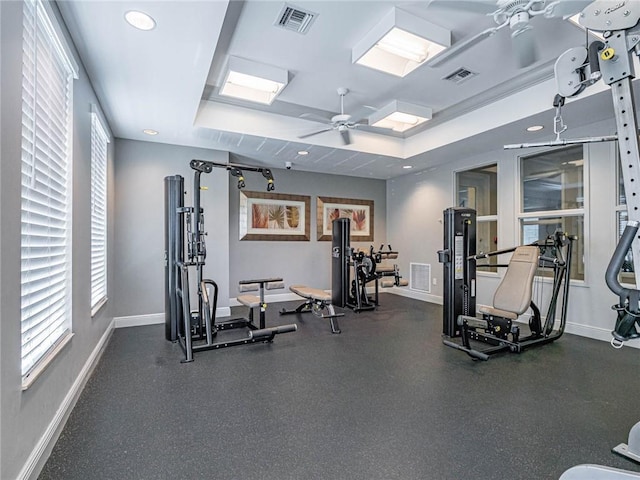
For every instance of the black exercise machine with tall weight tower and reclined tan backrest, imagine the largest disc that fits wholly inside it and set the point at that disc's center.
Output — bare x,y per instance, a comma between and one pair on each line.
497,327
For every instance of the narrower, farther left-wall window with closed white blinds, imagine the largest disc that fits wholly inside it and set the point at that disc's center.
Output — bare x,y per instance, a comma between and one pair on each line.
99,143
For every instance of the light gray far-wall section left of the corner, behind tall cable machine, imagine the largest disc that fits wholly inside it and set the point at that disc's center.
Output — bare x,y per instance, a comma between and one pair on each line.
140,169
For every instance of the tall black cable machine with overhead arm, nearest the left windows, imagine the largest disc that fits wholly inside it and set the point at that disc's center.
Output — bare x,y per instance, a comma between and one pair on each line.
195,330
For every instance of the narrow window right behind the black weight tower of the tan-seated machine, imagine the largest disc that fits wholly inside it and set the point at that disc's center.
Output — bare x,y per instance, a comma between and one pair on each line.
477,189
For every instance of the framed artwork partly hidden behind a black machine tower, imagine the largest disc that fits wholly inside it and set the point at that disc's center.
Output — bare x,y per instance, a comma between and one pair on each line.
360,212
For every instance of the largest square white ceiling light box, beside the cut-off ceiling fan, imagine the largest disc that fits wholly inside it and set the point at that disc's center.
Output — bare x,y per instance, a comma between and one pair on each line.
400,43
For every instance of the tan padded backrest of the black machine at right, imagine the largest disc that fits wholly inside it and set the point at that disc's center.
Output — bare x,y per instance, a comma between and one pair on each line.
515,289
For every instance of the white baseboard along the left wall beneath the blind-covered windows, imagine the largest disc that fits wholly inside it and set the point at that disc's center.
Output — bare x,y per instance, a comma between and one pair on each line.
39,455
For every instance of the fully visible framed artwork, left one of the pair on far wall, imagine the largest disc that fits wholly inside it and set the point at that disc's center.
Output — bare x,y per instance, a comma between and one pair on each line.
274,216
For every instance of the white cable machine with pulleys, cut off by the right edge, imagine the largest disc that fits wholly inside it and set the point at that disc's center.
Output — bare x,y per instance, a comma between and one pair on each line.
575,70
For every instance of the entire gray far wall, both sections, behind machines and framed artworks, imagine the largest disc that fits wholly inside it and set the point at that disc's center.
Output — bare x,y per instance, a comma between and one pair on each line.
140,168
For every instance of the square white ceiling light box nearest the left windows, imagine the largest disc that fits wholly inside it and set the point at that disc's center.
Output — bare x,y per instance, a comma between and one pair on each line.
253,81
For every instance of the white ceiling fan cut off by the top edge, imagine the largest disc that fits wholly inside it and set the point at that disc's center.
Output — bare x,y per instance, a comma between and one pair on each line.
516,14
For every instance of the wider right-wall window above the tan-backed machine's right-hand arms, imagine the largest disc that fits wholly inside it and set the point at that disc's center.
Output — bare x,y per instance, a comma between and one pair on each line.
552,186
